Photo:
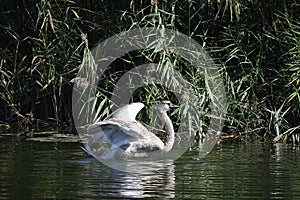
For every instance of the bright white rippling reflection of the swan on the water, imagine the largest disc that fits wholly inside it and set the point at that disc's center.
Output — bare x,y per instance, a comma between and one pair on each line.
150,180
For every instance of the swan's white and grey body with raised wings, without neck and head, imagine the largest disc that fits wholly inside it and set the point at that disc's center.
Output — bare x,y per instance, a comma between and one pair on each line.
126,136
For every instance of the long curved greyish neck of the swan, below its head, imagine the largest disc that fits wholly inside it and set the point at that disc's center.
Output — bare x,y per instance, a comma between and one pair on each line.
167,124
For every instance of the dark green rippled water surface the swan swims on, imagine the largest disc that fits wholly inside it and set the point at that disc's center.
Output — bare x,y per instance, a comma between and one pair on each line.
35,170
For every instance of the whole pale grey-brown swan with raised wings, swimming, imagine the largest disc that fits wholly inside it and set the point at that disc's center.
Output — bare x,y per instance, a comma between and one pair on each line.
128,137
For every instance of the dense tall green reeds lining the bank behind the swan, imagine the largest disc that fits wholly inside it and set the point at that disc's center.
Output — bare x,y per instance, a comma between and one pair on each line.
254,43
